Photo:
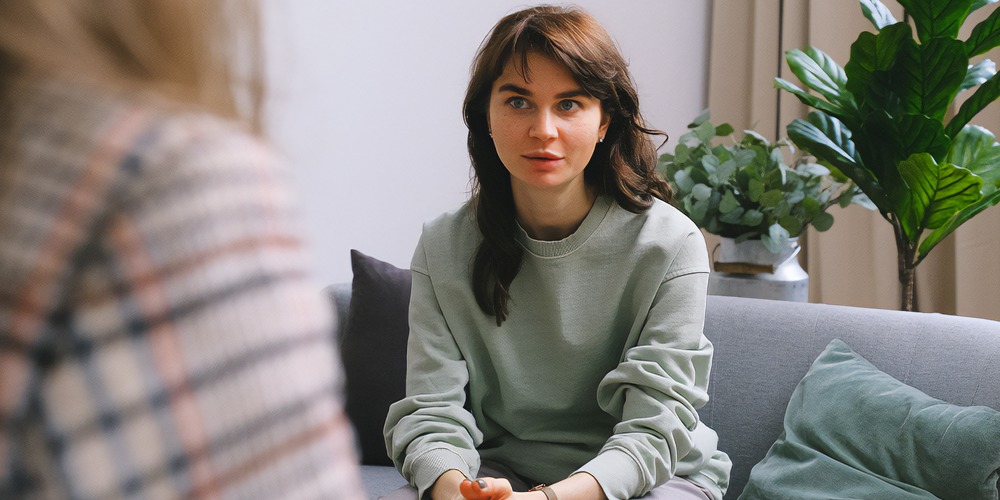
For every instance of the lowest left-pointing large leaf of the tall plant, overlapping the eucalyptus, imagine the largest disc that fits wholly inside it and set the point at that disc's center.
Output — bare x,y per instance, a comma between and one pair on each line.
829,140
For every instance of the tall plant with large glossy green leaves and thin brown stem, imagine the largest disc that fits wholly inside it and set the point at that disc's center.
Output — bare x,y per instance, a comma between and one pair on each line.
887,121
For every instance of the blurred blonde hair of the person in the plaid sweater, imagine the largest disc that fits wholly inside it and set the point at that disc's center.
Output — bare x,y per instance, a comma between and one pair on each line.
202,53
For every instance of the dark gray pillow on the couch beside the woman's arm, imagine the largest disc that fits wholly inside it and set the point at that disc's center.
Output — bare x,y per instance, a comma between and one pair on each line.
373,346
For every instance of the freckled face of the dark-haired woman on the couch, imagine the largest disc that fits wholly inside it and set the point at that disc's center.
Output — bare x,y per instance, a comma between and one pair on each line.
545,130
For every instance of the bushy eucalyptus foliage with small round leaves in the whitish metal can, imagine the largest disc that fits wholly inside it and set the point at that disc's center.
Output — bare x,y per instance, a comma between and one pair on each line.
746,190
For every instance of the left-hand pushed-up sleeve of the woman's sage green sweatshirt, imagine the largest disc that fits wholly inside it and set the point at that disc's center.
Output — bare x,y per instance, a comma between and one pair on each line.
429,431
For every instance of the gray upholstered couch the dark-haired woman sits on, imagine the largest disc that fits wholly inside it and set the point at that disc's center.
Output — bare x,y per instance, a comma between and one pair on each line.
763,348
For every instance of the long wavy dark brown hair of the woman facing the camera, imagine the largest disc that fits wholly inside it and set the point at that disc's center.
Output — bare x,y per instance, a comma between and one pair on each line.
623,165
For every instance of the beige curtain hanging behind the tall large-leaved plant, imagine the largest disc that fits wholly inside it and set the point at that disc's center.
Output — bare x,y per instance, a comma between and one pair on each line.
854,263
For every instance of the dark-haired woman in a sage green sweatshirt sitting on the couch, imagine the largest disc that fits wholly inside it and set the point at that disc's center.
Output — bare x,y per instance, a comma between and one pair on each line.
556,319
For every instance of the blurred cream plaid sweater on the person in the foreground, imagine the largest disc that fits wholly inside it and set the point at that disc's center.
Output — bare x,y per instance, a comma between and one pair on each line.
159,334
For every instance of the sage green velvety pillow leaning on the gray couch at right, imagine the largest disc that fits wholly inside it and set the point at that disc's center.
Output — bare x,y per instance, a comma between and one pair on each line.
852,431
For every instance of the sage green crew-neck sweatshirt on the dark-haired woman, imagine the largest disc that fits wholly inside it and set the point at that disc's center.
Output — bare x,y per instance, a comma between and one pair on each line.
600,367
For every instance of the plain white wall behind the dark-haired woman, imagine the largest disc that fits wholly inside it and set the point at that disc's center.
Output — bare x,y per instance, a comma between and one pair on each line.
366,102
